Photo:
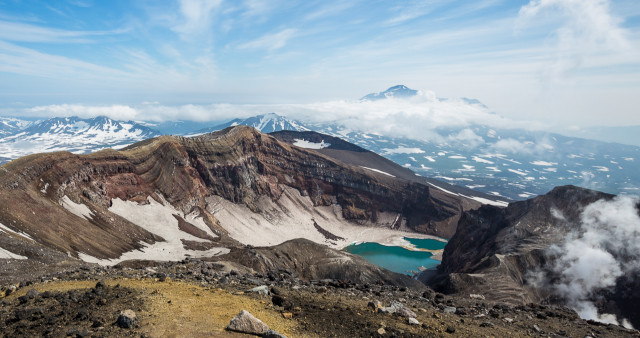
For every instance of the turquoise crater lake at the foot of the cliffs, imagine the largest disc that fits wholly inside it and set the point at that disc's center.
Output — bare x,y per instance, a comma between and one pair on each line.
397,258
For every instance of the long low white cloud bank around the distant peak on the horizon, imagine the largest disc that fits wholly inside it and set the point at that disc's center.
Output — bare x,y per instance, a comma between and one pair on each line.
417,118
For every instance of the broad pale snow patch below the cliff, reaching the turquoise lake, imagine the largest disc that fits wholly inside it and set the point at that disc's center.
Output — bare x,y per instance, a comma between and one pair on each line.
294,216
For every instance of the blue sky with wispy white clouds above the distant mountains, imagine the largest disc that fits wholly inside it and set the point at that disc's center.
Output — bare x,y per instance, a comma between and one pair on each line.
560,61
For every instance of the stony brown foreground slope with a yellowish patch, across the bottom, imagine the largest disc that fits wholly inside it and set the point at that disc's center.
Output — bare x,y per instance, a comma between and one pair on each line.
195,298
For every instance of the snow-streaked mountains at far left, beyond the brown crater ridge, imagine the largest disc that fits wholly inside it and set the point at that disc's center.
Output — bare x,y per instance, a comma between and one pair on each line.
72,134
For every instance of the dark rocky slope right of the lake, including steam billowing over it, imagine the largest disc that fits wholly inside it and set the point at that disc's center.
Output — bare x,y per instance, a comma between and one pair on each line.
541,250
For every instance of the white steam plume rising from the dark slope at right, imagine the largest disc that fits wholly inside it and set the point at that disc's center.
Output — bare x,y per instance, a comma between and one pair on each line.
604,248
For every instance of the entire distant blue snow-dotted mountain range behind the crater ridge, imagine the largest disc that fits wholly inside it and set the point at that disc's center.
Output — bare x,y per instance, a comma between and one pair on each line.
509,163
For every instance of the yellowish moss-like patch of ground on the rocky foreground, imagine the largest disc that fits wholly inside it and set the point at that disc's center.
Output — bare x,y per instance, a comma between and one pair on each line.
181,309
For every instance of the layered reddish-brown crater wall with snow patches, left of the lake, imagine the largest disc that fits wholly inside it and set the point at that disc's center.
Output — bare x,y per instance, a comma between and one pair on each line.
88,203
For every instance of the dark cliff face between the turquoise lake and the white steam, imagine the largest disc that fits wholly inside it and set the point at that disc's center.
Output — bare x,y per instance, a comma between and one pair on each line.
522,229
